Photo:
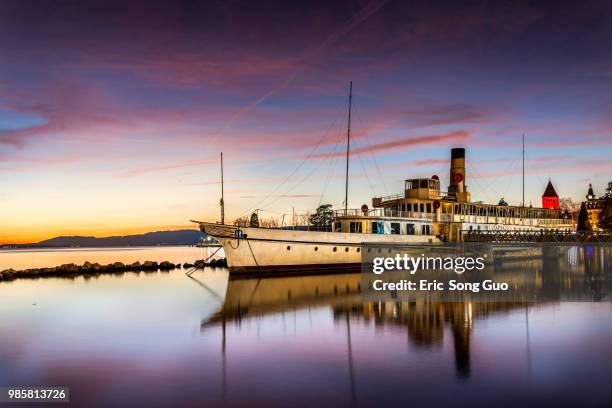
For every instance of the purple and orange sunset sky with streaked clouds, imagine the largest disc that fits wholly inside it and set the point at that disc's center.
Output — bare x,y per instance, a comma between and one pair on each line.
113,114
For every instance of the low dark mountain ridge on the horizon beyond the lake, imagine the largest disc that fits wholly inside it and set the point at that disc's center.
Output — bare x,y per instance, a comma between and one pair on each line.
180,237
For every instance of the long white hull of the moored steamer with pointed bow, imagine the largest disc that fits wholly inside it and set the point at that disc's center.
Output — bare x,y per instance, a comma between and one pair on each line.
263,250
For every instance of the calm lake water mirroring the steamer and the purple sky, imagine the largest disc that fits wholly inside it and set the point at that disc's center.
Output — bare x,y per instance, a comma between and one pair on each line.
166,339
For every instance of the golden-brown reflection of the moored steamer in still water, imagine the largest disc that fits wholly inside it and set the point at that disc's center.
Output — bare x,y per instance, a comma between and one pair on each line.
424,322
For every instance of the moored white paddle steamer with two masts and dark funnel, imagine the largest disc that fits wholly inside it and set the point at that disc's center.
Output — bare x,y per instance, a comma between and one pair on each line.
420,215
